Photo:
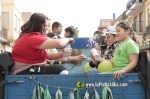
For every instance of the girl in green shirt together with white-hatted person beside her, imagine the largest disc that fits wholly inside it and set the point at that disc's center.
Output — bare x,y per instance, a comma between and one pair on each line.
120,49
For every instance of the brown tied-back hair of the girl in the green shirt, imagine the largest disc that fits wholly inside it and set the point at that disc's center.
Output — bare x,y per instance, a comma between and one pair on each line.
125,25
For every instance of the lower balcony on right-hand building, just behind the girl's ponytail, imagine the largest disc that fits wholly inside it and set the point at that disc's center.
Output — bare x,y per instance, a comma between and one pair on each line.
139,27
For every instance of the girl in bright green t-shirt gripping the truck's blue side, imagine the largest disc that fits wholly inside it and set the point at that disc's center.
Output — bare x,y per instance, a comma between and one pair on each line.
126,55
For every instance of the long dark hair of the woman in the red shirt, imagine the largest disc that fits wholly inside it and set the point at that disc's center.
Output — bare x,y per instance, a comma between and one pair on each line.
34,24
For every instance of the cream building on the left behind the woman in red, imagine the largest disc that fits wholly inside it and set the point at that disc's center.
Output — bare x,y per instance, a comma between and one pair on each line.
11,21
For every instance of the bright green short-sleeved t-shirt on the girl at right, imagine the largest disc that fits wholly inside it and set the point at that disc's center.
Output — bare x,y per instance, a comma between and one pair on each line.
121,58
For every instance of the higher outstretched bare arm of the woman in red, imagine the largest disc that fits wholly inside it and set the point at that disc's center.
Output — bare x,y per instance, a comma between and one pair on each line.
55,43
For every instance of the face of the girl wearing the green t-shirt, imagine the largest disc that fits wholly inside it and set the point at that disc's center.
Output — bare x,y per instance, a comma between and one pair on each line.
122,34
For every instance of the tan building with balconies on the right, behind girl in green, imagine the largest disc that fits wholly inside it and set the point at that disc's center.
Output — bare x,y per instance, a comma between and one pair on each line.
138,14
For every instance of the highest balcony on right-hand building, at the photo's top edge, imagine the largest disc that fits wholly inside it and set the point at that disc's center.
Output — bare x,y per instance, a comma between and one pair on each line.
133,6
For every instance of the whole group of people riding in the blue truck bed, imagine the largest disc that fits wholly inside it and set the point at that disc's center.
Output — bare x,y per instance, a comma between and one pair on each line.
36,52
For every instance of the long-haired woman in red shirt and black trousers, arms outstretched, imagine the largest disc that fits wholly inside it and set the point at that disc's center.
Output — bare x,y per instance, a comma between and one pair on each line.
29,49
